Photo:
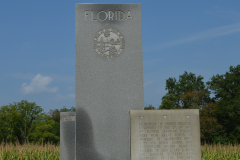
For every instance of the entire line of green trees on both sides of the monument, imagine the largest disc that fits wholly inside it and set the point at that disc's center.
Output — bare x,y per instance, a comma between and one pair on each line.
218,101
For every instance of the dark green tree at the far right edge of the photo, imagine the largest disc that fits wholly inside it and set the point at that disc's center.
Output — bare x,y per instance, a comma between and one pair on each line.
226,89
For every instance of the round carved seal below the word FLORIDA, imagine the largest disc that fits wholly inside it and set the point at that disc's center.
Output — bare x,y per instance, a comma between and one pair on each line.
108,43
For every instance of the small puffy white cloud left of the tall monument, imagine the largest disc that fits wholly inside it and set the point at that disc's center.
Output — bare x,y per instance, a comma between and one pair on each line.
39,85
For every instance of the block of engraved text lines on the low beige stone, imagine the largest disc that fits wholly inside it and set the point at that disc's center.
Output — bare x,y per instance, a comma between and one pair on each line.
165,140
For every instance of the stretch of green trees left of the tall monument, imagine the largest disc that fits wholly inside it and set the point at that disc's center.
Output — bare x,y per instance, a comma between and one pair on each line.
26,122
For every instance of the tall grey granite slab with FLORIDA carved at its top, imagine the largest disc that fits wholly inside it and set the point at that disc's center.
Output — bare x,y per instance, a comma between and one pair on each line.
109,78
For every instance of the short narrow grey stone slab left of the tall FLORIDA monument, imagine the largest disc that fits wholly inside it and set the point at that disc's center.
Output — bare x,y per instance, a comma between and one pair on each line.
67,135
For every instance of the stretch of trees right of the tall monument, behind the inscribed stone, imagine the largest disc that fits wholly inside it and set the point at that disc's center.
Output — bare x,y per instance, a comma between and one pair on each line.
218,101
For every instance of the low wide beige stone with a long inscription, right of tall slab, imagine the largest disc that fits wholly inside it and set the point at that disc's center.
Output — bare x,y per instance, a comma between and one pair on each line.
165,135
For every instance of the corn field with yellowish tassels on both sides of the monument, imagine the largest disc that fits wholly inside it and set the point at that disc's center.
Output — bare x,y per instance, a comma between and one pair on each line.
52,152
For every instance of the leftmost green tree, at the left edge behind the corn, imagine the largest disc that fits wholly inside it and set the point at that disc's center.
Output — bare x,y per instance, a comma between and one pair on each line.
17,120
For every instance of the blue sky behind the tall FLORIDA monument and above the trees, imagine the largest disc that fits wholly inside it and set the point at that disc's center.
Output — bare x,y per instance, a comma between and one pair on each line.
37,46
